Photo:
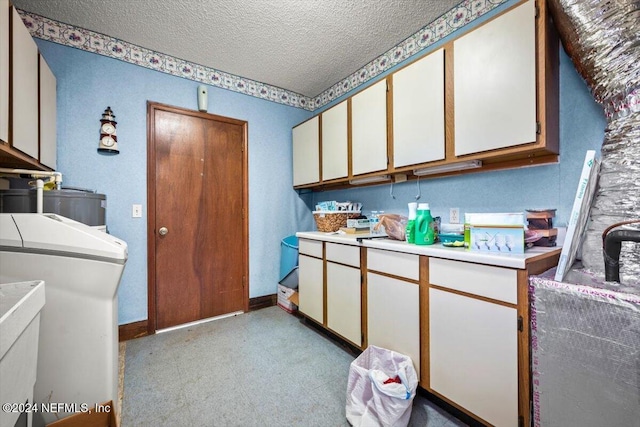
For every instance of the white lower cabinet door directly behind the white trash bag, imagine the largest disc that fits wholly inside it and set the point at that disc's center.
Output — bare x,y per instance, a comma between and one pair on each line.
393,316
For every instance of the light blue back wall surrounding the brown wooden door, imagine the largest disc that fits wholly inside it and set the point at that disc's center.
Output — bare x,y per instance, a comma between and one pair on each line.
88,83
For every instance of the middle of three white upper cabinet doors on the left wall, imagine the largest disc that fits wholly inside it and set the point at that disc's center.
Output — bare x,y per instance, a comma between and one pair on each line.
25,88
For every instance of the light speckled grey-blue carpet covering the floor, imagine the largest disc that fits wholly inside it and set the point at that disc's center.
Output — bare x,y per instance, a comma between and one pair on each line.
263,368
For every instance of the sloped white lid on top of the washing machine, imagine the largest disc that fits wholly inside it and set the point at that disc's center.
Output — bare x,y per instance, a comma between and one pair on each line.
59,235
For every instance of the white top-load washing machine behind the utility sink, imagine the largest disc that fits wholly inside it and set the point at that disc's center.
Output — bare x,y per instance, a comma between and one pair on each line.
81,267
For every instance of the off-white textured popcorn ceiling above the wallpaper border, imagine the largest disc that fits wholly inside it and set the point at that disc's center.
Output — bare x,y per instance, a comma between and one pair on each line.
301,45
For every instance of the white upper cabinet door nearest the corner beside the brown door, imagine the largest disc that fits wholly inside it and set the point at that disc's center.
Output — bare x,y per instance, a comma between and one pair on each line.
306,152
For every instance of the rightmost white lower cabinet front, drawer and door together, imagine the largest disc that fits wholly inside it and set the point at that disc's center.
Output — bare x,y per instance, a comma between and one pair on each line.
473,338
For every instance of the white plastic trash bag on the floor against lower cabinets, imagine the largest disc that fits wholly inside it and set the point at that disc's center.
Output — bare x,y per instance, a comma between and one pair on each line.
382,385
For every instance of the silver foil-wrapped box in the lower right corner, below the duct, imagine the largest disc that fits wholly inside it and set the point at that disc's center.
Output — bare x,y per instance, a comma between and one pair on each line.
585,343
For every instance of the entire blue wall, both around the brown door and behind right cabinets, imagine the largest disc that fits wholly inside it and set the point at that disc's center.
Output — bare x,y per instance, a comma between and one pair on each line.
88,83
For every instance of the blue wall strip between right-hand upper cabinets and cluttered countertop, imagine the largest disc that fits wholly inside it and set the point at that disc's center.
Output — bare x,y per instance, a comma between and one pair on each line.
582,126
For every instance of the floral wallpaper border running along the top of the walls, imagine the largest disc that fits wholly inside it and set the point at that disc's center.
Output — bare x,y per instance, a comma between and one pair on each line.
80,38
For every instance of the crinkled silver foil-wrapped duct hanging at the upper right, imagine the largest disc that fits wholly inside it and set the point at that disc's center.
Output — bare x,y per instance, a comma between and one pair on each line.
603,41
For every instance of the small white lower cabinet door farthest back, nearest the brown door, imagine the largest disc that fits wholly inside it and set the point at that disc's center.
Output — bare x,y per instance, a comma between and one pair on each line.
310,287
